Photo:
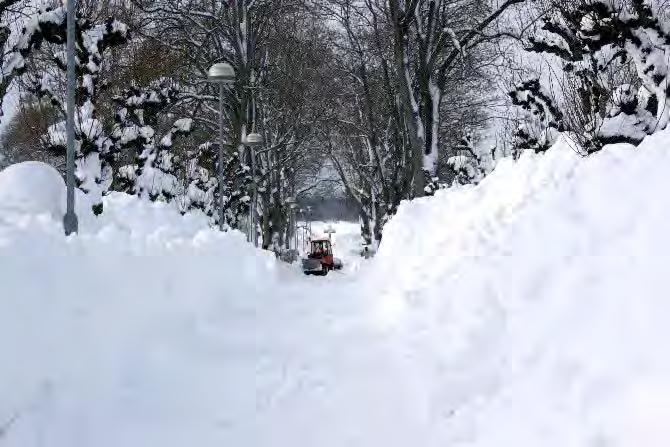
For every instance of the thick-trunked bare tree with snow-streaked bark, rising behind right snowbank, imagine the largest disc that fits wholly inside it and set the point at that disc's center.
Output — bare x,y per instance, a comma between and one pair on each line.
429,39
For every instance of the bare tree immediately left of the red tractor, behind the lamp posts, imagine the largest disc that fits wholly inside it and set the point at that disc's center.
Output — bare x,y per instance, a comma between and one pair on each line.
295,85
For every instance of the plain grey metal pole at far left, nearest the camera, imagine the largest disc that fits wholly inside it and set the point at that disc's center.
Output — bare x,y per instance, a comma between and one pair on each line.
70,222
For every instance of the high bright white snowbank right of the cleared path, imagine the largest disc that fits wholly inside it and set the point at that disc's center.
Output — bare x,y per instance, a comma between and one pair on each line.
536,305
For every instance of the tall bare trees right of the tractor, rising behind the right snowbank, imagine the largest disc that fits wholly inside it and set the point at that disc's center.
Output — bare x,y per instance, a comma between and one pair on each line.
414,80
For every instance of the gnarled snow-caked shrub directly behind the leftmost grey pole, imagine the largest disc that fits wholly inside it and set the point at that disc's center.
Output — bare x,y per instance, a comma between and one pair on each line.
93,147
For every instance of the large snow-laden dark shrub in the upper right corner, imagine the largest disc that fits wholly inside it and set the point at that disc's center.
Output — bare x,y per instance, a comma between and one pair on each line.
596,41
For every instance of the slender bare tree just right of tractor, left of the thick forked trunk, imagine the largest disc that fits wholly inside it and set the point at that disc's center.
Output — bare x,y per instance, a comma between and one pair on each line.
366,134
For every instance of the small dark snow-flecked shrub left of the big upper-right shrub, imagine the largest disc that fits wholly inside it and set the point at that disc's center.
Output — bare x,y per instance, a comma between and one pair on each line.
541,118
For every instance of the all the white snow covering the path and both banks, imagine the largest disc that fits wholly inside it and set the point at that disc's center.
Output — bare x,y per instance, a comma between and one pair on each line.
528,311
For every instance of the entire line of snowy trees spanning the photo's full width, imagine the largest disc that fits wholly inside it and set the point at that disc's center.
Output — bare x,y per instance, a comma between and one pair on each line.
391,99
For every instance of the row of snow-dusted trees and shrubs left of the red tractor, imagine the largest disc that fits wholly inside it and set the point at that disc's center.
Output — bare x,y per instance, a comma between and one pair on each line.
147,121
